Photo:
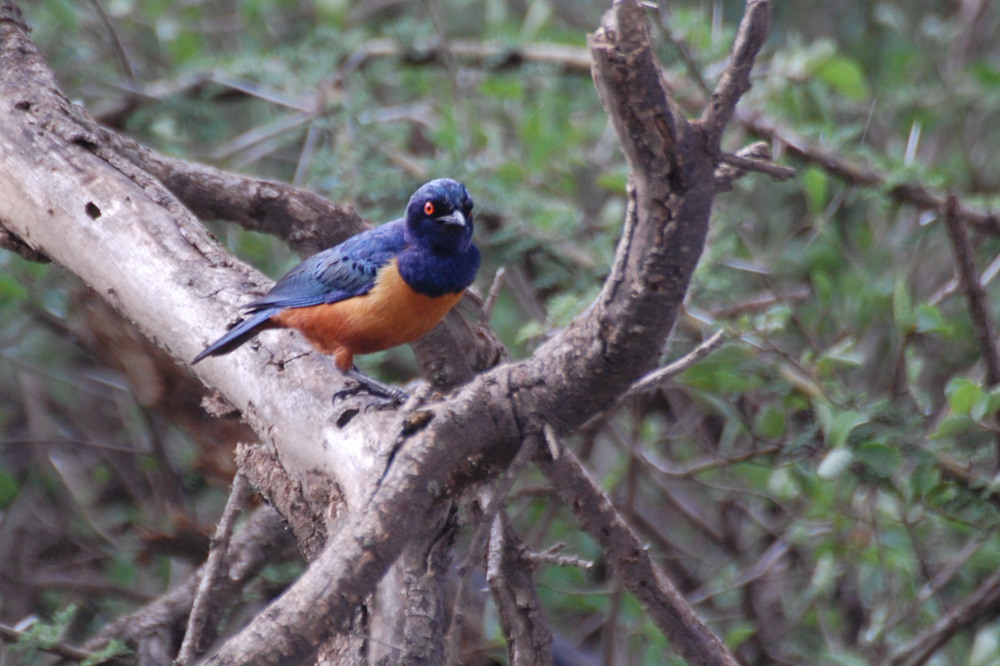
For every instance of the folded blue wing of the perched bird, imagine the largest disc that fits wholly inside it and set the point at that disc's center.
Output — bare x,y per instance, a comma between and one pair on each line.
341,272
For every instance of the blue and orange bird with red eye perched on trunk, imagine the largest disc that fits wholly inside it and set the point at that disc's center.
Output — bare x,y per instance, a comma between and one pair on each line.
381,288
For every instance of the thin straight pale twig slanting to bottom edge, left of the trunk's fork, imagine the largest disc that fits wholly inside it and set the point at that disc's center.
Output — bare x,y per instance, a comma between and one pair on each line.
213,569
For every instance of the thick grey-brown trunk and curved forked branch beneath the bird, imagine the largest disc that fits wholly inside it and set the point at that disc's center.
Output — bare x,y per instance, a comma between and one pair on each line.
359,486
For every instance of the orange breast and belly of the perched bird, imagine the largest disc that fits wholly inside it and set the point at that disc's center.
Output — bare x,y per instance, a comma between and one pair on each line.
390,314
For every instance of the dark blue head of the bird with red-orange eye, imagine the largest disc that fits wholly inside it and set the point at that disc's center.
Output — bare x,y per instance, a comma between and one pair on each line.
439,216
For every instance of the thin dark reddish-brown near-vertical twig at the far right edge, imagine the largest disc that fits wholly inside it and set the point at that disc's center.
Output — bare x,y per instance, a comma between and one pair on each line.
979,309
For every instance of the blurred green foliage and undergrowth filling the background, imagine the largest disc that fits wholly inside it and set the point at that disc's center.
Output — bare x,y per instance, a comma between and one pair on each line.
809,486
